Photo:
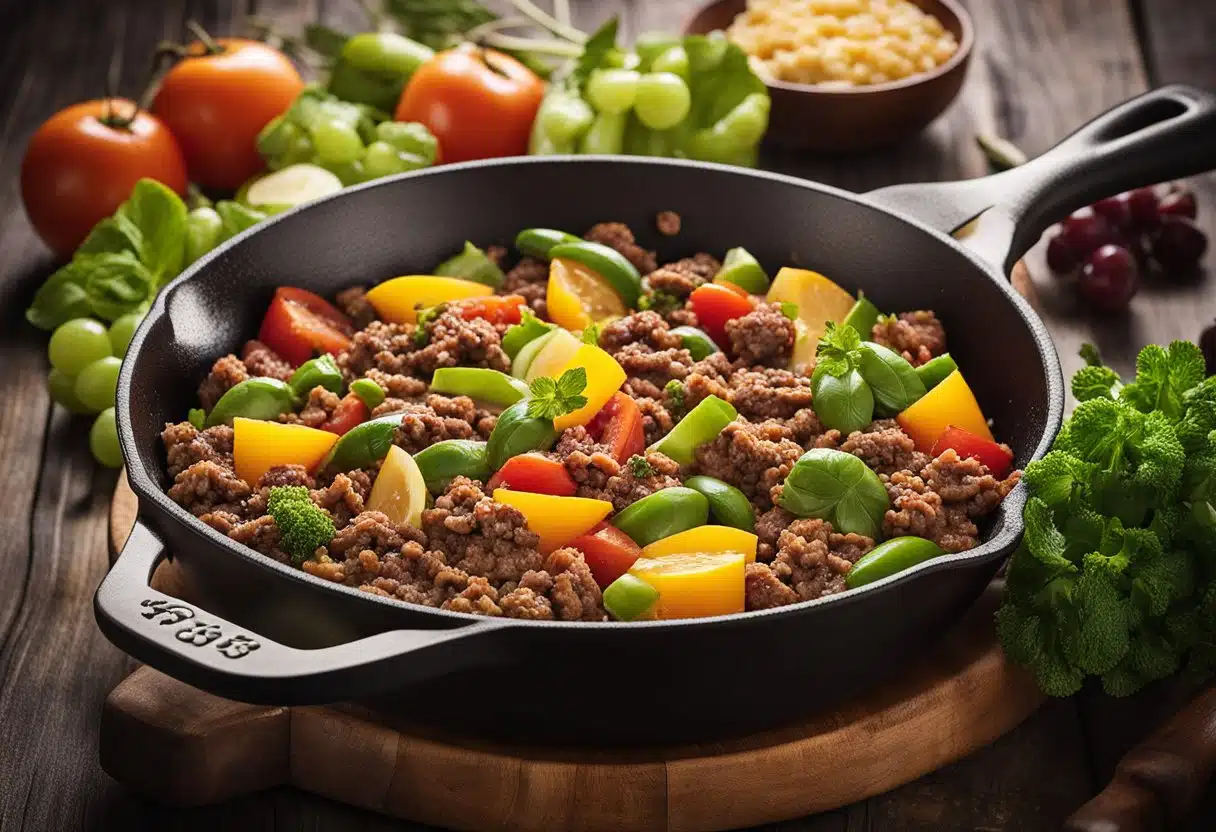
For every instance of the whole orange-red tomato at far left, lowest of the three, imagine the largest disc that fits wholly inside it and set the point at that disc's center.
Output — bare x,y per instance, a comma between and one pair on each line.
83,162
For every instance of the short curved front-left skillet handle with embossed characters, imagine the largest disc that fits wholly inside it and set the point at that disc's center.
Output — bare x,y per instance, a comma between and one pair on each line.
217,656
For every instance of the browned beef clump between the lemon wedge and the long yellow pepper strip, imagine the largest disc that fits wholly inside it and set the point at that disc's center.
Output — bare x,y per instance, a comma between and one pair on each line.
480,536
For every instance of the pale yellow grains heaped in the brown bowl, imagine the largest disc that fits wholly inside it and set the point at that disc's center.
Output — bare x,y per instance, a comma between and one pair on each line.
840,44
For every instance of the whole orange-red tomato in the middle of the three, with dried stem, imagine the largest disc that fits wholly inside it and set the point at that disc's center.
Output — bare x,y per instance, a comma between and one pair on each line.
217,104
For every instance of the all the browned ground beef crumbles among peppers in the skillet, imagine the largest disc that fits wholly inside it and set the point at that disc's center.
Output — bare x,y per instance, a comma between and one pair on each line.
477,556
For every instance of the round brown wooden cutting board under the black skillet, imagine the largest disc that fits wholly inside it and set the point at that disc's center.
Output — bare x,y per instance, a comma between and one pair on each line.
185,747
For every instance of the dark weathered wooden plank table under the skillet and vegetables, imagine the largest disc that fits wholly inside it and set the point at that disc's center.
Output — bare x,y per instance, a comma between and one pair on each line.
1040,69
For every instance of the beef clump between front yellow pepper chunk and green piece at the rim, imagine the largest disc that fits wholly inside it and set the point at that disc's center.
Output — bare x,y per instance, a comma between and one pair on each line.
812,561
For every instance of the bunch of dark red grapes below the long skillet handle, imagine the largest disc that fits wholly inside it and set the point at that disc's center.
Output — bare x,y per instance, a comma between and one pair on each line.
1110,244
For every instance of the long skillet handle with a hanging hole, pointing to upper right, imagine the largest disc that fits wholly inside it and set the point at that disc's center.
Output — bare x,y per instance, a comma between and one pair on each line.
1164,134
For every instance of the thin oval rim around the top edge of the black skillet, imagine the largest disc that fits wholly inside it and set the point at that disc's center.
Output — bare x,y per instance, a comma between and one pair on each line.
1007,525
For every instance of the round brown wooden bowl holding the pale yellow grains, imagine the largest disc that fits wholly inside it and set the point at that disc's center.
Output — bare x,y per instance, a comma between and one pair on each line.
809,119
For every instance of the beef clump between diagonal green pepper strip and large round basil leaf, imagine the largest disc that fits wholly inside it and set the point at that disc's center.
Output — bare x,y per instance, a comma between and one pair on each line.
751,457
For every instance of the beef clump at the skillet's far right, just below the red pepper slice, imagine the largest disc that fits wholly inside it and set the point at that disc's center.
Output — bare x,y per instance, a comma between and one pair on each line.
944,501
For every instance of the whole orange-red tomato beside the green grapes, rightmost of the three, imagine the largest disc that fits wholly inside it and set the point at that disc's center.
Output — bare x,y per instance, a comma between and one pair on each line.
478,103
